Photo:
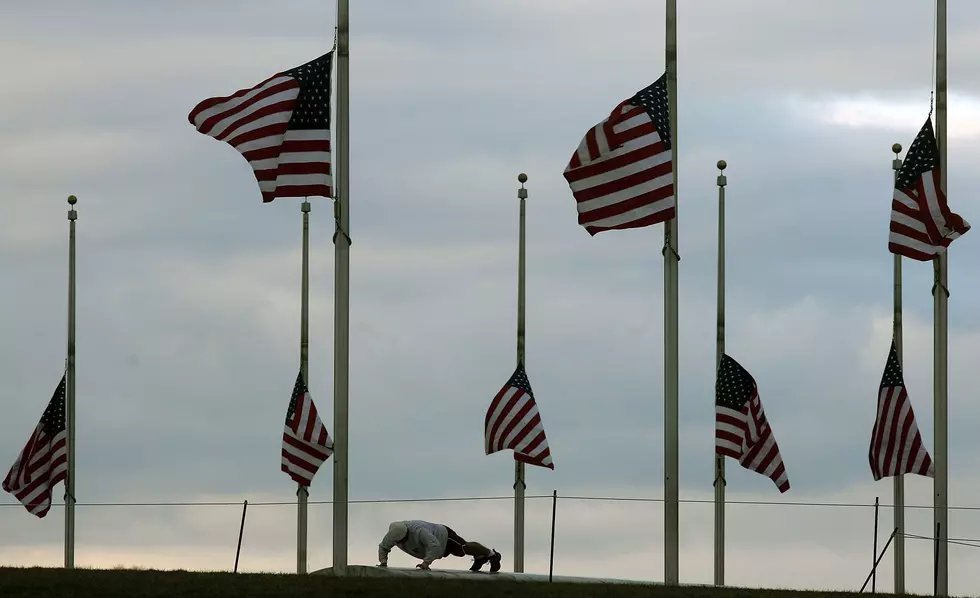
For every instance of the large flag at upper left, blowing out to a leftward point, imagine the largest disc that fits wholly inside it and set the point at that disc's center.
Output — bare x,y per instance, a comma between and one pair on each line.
281,126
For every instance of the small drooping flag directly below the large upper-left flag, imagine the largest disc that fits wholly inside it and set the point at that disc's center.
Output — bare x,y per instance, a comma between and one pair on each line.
305,442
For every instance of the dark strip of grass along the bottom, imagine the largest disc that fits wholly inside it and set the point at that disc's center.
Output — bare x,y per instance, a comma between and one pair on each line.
129,583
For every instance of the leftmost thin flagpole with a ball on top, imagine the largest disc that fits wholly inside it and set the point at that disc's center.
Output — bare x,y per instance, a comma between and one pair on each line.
70,392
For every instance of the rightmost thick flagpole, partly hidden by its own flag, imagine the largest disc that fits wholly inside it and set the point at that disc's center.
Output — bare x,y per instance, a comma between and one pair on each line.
940,323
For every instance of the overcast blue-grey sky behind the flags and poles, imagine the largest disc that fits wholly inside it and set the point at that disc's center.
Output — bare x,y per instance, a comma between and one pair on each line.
189,287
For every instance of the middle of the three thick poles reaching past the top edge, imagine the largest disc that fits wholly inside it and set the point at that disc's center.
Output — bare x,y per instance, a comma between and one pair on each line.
671,487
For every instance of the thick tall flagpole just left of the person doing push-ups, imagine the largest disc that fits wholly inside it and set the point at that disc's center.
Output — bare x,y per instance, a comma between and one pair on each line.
341,336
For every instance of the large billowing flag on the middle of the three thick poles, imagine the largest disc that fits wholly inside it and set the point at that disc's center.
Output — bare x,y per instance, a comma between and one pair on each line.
622,174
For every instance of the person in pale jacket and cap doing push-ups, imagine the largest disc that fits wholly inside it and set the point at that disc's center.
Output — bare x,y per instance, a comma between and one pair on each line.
431,541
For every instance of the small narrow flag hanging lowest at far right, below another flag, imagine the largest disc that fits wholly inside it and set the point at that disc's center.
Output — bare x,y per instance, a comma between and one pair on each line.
896,446
